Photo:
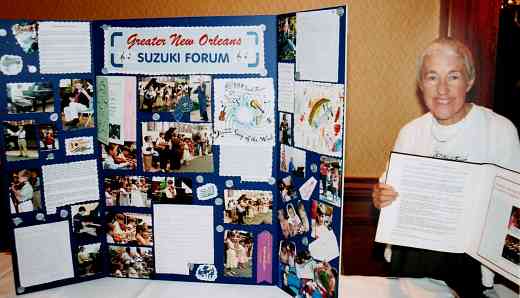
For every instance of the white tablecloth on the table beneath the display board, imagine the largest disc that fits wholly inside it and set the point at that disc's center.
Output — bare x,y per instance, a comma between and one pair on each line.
351,287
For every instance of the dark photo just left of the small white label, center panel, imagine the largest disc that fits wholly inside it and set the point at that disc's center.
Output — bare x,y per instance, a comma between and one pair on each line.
172,190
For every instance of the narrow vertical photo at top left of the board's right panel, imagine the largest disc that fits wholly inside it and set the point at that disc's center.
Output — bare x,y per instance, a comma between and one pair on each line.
287,38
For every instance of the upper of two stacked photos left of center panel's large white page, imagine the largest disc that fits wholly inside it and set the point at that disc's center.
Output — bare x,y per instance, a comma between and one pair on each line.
129,228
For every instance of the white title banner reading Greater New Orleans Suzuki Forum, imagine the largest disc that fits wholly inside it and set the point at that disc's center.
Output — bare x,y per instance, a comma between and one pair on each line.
185,50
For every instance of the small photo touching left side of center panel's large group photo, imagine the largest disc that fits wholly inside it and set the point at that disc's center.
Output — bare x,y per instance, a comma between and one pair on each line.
119,157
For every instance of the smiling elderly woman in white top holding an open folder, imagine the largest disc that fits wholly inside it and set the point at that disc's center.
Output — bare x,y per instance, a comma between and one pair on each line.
456,129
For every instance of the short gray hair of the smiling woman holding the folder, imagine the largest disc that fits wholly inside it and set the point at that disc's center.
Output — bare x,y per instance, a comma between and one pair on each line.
458,47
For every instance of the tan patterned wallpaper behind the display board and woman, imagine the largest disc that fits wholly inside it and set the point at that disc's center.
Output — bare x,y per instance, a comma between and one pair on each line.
384,39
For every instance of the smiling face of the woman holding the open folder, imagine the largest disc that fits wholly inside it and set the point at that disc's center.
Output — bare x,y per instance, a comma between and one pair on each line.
444,85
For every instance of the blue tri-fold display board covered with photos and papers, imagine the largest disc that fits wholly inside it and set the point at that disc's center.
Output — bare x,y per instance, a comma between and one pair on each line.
193,149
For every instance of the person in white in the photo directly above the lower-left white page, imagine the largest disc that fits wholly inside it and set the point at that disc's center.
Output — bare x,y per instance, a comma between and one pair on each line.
22,192
